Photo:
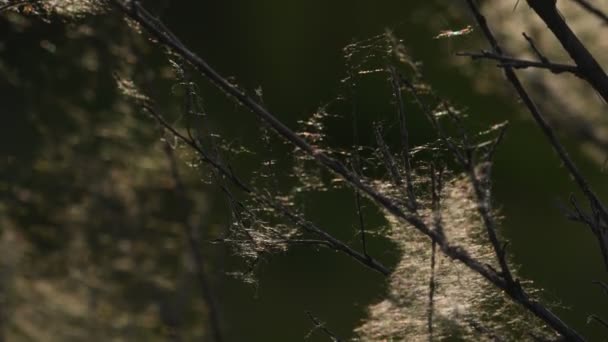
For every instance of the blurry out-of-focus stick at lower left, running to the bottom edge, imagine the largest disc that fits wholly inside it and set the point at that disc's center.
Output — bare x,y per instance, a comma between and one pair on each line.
199,265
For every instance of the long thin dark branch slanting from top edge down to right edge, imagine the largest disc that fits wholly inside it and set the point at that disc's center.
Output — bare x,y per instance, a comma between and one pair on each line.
596,205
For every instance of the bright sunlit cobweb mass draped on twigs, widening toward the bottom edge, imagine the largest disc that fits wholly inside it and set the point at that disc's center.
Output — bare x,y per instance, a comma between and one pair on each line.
464,305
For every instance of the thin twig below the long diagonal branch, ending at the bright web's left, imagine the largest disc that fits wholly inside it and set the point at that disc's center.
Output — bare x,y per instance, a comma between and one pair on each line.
296,219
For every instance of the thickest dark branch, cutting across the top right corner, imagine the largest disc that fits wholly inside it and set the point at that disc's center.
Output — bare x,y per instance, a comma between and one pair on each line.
588,66
